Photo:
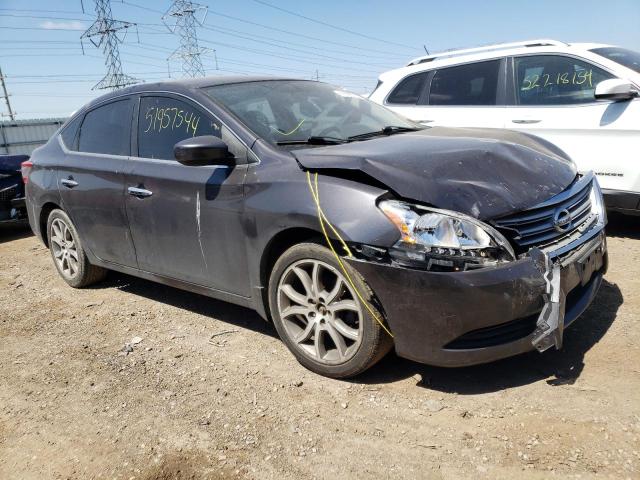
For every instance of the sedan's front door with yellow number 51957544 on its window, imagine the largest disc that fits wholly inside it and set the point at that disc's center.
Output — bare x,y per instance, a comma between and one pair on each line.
186,221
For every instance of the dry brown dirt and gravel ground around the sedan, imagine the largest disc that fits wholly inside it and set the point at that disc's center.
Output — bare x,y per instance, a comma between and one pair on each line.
184,405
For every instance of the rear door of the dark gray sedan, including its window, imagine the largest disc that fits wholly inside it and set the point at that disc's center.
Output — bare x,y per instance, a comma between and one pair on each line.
91,179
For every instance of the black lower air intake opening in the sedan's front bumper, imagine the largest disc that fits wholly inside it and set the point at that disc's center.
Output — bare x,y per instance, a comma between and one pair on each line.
496,335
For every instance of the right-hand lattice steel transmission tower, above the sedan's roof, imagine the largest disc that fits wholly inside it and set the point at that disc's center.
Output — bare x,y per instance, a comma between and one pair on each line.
182,18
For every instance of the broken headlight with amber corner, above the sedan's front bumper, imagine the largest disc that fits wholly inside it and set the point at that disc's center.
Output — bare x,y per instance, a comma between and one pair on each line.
443,240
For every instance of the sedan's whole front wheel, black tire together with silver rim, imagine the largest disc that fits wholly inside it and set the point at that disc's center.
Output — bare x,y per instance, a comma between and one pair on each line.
319,316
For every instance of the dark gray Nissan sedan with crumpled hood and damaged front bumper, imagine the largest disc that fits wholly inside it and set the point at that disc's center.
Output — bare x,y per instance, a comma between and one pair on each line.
353,229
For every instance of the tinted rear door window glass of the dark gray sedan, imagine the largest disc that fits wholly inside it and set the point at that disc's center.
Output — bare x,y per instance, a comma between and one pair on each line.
107,129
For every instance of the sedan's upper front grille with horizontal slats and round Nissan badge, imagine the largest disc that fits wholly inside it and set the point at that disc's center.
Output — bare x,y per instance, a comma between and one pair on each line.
536,226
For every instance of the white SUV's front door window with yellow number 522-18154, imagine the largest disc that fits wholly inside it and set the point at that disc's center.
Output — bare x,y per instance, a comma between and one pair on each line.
556,80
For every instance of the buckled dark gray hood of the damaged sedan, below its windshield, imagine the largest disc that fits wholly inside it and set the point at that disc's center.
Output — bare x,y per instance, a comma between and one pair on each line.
485,173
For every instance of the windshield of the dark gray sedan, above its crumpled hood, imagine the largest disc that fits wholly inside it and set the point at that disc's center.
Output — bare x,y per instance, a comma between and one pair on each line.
290,111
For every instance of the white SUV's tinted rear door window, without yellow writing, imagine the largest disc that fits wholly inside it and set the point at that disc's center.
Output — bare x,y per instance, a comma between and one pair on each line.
473,84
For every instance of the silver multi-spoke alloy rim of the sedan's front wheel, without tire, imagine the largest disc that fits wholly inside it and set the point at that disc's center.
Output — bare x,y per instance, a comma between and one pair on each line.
320,312
